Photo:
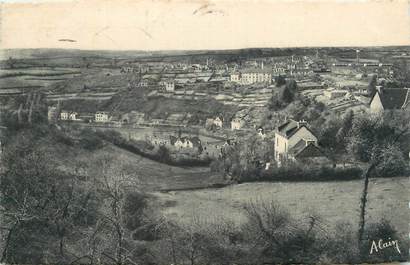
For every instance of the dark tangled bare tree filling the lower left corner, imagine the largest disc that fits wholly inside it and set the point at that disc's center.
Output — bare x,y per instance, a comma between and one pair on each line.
40,204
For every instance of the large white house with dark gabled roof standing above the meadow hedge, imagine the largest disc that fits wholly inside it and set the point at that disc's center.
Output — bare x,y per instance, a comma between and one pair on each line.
291,138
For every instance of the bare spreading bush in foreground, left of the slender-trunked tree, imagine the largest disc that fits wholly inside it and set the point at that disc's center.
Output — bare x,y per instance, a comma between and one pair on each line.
279,238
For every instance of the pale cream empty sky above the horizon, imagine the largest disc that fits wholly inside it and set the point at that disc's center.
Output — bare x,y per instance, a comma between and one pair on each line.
202,24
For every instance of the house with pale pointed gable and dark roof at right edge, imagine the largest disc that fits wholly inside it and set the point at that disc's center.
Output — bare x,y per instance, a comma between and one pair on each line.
390,99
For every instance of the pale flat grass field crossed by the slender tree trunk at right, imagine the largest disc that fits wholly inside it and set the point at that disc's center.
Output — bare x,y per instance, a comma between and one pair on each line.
334,202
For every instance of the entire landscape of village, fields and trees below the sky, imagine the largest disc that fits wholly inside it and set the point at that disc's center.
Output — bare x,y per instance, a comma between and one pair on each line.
206,149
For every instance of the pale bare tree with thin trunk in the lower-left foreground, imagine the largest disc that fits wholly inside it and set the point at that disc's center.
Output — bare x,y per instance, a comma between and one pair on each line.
123,210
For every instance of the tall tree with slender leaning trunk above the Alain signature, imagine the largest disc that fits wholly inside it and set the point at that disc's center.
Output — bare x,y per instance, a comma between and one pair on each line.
372,140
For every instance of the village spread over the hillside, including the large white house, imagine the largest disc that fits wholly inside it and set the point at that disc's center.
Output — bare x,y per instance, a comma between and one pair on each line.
341,85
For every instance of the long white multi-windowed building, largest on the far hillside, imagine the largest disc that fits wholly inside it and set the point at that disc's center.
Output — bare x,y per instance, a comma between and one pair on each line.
252,76
